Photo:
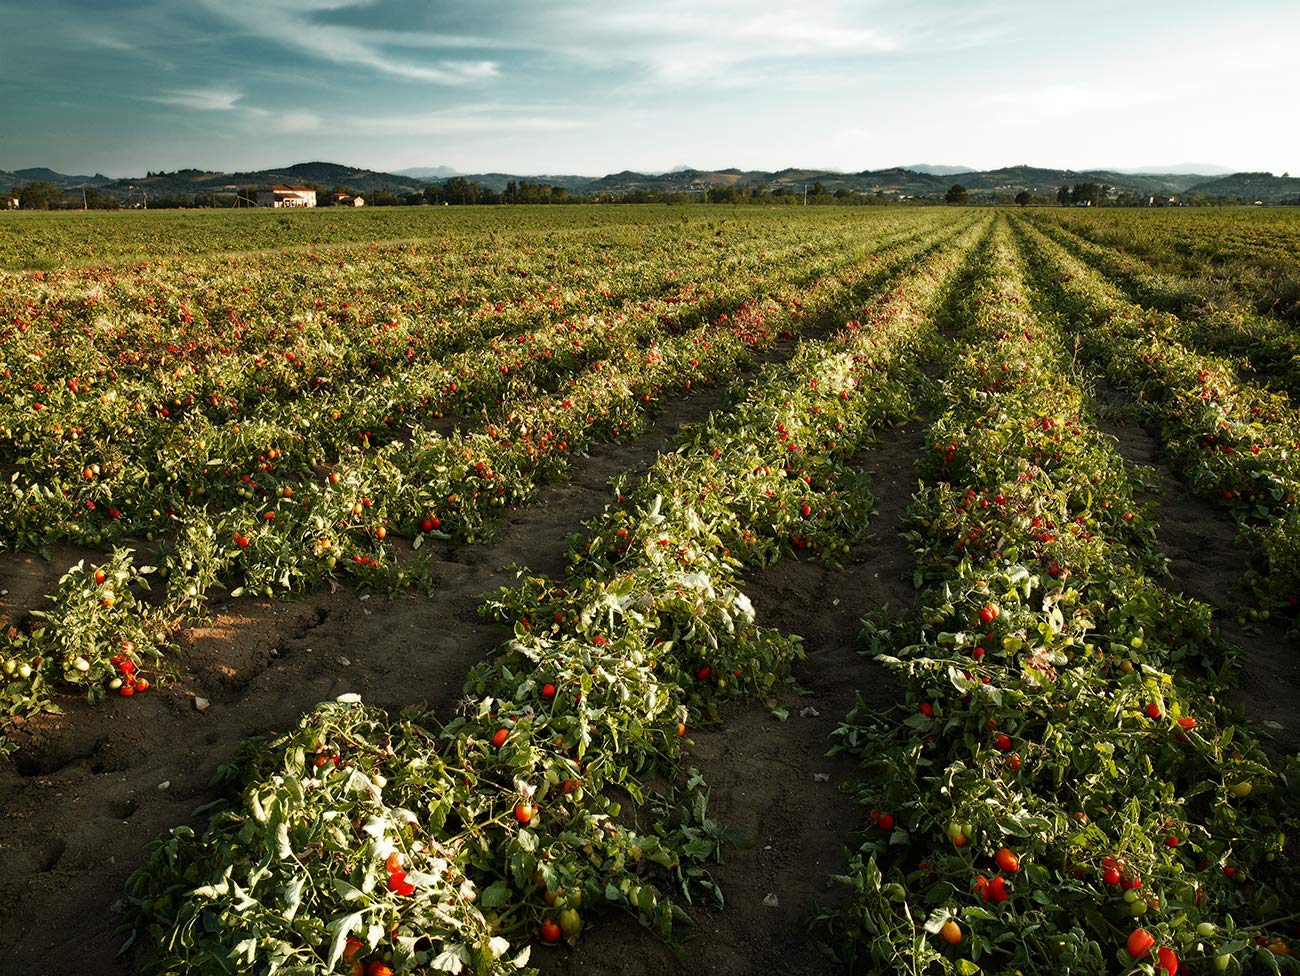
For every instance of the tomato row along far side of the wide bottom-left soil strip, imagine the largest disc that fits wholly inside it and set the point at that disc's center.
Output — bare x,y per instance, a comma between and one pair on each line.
291,533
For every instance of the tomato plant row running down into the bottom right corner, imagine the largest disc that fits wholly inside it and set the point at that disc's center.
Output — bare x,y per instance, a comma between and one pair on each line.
1063,788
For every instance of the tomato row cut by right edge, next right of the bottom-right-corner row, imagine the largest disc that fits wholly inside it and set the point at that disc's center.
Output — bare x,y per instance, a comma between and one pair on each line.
1229,440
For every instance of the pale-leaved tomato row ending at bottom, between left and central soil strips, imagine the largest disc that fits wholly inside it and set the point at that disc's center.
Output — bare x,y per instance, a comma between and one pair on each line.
359,844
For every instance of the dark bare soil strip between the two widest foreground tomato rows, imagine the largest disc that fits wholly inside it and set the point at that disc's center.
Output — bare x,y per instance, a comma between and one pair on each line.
762,773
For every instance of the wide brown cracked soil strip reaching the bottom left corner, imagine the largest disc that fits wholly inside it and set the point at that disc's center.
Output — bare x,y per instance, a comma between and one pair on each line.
89,788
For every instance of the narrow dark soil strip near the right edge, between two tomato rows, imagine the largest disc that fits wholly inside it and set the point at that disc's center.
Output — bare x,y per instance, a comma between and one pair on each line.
1207,562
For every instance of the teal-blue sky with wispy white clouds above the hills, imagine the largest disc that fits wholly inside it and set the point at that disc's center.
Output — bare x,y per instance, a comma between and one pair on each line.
551,86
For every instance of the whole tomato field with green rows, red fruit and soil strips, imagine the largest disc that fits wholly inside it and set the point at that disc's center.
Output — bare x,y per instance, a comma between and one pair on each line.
651,591
